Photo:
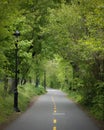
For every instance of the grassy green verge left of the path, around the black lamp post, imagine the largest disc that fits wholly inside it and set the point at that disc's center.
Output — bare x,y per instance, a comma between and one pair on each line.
26,93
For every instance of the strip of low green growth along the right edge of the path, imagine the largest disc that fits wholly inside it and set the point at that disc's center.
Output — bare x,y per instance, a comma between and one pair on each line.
94,113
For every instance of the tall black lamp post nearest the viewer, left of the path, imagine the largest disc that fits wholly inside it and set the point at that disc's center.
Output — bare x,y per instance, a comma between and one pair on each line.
16,34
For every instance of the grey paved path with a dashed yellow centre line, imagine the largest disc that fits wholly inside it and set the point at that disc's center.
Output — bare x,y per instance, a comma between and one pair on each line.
53,111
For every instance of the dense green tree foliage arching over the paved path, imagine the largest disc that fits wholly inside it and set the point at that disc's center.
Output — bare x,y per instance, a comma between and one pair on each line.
61,45
